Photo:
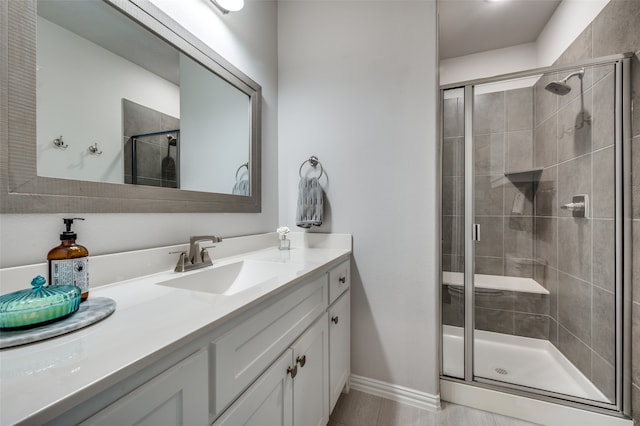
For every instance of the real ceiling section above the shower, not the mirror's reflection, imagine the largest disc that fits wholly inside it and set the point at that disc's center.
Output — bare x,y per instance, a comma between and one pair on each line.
472,26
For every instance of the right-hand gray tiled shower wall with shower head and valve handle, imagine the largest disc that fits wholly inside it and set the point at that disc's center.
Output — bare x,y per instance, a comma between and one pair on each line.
573,136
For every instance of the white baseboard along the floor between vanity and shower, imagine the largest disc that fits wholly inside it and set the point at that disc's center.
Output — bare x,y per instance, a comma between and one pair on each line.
396,393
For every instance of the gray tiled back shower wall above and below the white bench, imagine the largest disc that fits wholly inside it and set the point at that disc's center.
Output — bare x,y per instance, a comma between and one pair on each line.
503,142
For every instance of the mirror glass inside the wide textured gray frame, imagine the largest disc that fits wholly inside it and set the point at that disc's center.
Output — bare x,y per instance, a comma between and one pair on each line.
159,117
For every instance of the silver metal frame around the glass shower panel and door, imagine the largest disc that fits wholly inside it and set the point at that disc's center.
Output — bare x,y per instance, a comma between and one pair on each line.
623,259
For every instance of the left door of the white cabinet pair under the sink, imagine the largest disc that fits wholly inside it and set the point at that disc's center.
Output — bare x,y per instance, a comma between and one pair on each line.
269,401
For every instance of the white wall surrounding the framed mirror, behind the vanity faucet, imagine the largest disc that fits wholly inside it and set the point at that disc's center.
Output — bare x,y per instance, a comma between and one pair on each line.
247,39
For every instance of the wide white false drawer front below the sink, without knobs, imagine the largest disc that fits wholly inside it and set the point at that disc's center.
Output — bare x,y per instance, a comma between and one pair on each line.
241,355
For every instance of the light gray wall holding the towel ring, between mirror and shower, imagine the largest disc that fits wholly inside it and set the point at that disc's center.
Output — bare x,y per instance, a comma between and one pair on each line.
357,88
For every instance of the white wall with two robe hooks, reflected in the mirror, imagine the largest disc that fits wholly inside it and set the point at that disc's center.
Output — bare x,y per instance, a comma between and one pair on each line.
80,87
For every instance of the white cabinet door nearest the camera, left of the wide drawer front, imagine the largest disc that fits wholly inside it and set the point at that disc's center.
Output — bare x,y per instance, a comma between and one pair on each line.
178,396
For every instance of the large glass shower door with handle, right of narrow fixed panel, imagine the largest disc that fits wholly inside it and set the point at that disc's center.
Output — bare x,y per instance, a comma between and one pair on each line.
543,195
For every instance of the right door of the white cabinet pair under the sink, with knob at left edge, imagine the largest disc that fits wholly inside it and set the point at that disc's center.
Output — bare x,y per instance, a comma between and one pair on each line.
310,386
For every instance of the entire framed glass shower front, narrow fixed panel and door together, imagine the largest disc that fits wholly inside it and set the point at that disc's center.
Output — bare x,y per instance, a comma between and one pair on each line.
542,179
